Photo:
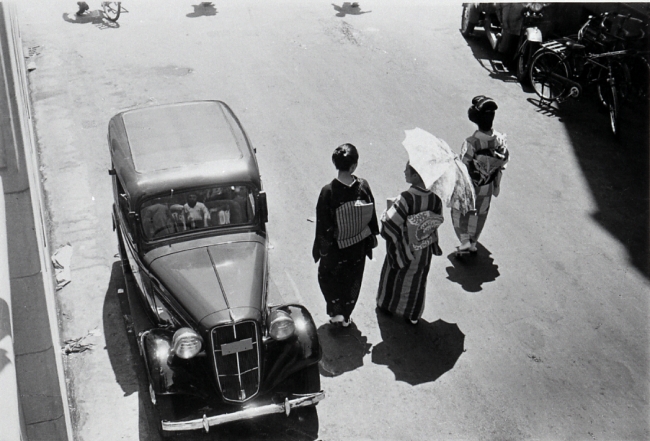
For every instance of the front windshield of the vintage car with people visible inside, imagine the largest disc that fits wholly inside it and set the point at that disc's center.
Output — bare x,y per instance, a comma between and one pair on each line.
180,211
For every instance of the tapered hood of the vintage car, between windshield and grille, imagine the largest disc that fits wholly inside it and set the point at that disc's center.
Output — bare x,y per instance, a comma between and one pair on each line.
218,283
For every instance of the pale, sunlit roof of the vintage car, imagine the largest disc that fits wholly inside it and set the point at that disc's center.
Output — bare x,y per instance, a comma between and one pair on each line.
181,145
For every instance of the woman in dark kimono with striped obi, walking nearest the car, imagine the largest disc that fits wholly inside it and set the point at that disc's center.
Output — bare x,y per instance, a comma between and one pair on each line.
346,230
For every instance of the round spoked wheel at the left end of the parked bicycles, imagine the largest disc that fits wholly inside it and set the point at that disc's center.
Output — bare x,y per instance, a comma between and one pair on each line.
548,72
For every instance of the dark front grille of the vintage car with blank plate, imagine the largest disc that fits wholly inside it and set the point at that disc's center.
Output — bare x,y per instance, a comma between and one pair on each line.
237,360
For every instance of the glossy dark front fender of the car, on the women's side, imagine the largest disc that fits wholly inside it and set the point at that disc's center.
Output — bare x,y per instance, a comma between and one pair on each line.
286,357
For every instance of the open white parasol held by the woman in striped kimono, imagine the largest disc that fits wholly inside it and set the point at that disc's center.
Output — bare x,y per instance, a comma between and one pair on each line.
441,170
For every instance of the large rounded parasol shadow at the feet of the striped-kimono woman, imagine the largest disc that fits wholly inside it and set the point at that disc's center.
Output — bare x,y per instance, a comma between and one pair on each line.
417,354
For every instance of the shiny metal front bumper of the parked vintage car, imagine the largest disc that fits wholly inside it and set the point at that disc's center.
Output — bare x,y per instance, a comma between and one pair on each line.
252,412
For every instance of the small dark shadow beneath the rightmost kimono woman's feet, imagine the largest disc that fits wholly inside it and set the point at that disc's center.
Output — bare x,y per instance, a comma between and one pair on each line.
471,271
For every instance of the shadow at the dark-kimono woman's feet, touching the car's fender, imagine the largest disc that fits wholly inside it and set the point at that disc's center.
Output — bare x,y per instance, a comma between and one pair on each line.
343,349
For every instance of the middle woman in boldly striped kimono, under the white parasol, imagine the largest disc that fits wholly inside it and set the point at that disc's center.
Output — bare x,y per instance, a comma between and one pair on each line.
403,282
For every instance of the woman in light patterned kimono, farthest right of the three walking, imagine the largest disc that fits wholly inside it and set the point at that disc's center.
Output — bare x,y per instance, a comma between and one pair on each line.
486,155
